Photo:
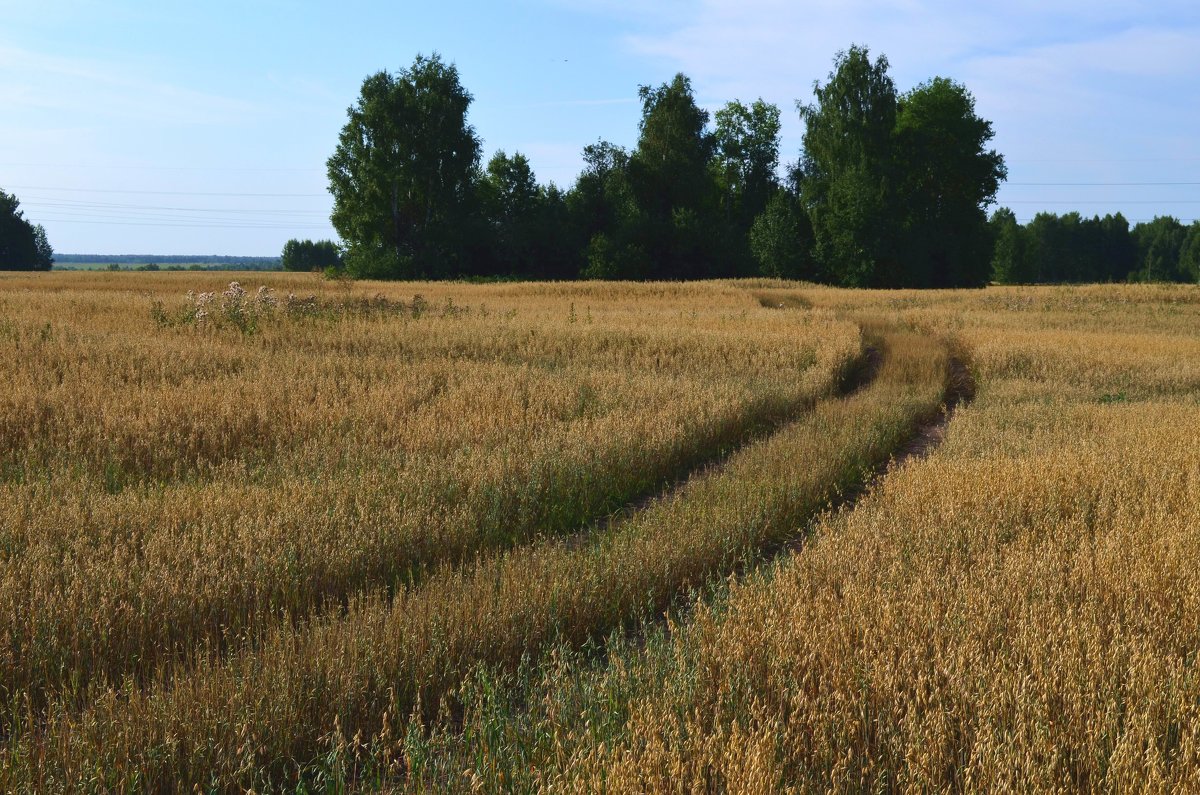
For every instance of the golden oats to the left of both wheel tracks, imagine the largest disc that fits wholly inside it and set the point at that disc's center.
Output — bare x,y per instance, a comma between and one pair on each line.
173,491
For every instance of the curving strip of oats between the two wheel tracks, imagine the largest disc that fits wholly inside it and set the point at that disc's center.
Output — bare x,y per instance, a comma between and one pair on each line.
249,721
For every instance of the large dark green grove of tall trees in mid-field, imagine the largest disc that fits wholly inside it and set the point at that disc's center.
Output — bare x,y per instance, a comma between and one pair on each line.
891,189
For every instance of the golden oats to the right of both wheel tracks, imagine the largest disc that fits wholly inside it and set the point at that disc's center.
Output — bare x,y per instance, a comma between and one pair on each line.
1016,613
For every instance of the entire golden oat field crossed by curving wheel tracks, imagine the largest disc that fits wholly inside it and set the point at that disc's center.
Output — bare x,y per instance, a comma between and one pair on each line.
301,536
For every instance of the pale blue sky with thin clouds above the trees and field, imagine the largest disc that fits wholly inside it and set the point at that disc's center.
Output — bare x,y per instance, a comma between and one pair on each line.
203,128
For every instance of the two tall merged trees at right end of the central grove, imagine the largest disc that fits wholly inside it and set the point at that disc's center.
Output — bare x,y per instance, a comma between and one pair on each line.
897,186
